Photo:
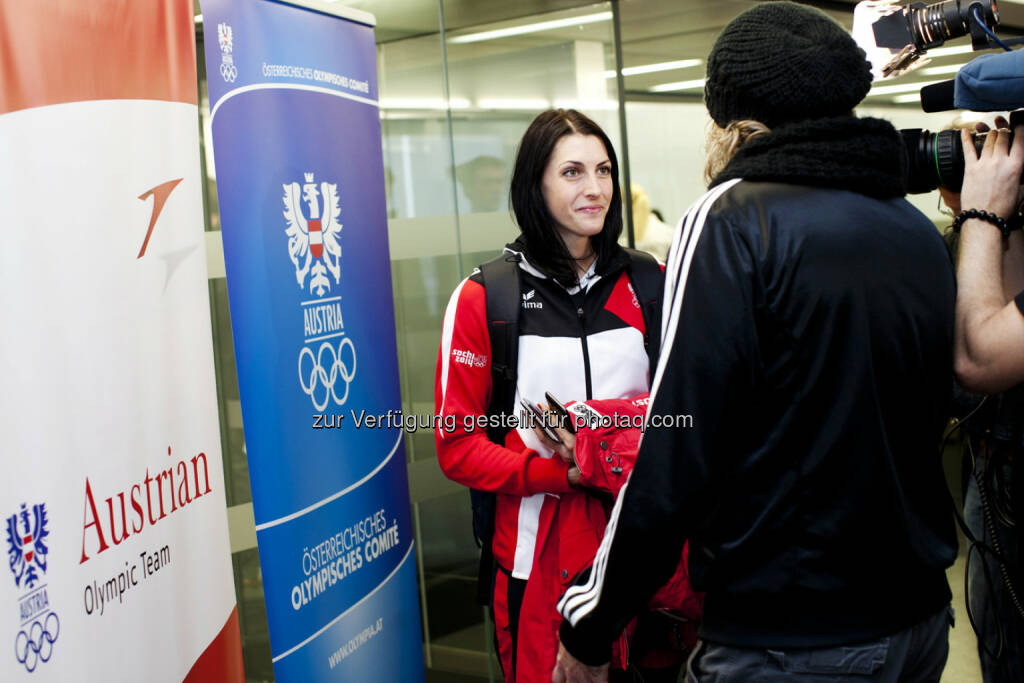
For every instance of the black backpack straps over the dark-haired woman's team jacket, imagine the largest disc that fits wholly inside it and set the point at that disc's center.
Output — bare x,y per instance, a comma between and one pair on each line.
501,284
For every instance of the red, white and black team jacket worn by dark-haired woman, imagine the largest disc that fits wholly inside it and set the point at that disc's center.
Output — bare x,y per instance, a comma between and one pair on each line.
578,345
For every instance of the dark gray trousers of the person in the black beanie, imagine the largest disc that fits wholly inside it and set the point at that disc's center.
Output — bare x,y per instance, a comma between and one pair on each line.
917,655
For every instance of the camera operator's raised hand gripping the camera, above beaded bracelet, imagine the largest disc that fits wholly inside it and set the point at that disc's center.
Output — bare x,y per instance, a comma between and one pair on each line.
992,183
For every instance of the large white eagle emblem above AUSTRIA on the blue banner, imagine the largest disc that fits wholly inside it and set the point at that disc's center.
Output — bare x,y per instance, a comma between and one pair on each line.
314,236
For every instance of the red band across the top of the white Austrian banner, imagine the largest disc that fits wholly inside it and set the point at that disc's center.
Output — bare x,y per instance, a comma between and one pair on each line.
68,51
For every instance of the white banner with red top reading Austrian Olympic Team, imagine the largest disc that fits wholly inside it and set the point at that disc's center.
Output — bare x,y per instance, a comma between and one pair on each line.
112,502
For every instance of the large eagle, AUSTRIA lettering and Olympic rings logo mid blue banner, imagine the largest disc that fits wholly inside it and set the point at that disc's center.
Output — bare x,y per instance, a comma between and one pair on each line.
327,362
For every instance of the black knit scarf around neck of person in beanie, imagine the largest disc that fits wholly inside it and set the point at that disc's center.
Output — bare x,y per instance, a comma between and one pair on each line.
864,156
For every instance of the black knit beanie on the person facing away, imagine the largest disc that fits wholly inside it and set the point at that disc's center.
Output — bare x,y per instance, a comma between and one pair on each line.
782,63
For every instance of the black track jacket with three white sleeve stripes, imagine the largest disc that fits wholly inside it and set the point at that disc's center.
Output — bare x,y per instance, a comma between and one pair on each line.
808,332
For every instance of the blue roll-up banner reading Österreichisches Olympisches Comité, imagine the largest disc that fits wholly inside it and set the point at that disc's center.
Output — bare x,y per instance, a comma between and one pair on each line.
301,182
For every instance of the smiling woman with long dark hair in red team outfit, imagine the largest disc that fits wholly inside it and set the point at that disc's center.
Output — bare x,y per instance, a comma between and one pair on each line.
582,334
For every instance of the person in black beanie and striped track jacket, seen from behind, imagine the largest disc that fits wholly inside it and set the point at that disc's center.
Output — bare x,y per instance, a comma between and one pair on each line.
808,331
